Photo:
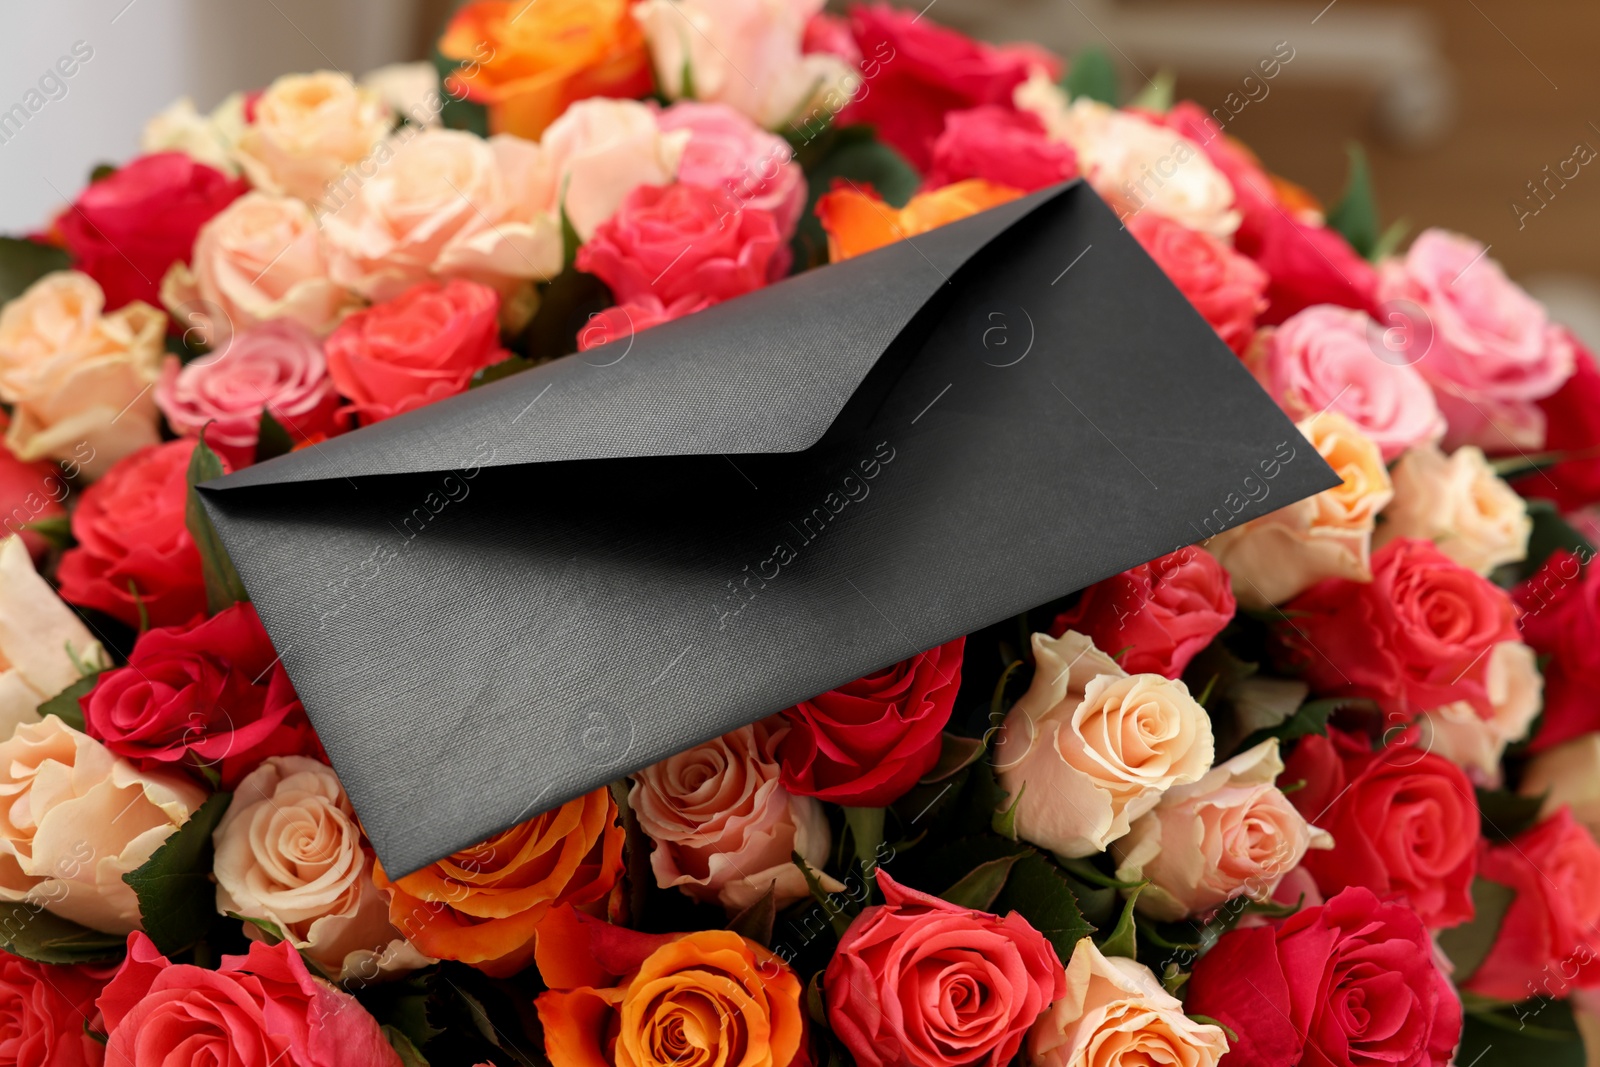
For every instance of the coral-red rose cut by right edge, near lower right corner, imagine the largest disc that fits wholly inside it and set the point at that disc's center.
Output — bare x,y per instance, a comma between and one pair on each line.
1550,940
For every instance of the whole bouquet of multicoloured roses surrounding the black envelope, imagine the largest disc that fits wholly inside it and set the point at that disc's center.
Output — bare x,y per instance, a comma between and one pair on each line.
1321,789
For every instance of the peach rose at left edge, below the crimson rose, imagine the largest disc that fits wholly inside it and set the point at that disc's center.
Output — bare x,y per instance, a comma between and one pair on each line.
79,382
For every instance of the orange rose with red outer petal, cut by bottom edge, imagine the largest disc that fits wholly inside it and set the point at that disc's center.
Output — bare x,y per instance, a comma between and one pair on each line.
710,997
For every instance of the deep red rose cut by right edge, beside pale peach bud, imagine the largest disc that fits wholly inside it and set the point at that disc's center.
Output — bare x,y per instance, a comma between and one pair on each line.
1562,623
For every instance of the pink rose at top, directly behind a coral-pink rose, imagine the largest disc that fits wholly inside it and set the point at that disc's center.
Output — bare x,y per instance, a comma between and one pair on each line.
750,167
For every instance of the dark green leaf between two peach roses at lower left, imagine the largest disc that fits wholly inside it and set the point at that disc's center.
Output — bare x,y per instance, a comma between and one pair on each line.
175,890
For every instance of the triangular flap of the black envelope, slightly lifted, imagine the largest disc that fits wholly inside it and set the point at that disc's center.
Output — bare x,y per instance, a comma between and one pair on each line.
764,374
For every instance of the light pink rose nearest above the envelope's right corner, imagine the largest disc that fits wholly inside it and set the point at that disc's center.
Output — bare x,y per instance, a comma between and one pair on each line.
1326,359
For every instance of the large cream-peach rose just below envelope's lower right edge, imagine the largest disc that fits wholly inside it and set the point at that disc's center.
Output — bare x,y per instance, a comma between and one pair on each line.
1090,748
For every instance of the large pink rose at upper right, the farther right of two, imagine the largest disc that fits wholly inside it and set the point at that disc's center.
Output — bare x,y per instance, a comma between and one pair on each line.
1489,350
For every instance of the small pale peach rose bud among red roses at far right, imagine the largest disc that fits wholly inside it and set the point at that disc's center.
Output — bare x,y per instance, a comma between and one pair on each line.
1458,733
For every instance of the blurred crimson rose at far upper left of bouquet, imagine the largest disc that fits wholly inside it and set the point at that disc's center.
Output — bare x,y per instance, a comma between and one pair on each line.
126,231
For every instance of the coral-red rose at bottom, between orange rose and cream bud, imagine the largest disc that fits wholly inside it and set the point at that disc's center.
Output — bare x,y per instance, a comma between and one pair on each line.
919,981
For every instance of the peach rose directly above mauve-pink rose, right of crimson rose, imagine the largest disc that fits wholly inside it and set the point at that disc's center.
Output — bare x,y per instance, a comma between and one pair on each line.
260,258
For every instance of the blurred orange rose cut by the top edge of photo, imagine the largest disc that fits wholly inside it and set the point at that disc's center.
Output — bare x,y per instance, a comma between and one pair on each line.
527,62
